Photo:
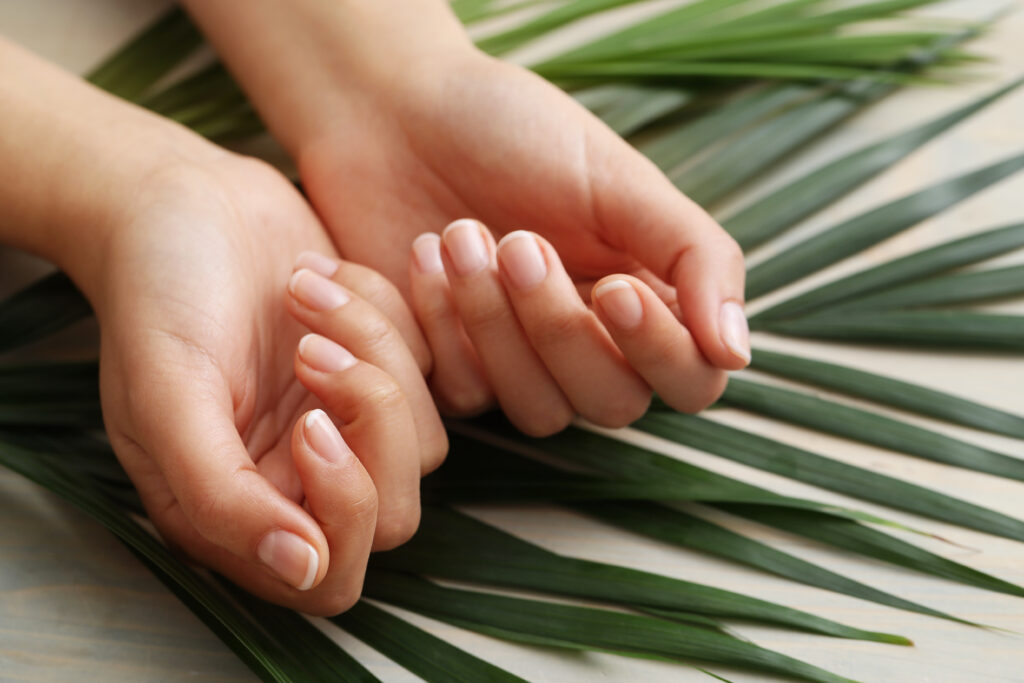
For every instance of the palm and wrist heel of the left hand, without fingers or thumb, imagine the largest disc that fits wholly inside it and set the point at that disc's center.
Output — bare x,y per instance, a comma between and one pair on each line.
214,321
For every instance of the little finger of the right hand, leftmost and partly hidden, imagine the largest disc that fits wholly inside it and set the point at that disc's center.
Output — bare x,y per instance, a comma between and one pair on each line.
458,380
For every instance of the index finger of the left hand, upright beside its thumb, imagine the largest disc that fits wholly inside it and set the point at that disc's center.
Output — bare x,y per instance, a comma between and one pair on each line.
343,499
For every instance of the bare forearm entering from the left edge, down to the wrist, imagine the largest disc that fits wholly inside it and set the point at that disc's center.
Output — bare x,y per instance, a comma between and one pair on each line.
71,157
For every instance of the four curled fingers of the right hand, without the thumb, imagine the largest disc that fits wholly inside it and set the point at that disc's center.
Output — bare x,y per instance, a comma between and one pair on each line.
508,319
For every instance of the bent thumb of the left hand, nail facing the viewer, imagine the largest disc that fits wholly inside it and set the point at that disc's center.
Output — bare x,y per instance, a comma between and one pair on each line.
184,419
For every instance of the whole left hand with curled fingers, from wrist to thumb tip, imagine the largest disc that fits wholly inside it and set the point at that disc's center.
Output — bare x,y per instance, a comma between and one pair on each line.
217,409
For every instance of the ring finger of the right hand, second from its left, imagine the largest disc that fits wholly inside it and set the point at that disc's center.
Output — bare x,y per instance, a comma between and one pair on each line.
525,389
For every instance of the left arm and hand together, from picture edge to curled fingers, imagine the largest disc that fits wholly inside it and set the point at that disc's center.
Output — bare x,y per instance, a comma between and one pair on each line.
209,391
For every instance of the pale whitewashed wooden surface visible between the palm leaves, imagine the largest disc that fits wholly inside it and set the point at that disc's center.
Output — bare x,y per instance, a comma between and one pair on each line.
74,606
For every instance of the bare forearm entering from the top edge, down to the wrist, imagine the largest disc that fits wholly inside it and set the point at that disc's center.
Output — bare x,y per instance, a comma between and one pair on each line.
346,52
